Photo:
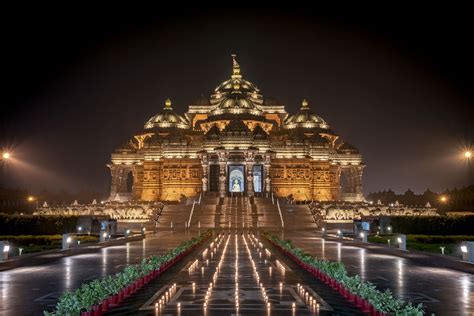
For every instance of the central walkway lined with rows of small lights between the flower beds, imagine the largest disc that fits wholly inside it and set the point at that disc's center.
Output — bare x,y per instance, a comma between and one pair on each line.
237,274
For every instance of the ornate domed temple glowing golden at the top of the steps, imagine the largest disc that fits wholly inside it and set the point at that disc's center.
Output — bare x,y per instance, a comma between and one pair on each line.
236,141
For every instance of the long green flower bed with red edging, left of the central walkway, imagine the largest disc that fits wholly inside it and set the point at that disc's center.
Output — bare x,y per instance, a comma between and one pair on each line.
93,298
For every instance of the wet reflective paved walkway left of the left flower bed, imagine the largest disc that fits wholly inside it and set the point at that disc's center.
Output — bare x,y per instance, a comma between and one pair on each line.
30,290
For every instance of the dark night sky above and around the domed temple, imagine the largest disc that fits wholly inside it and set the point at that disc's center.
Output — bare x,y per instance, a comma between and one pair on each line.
396,84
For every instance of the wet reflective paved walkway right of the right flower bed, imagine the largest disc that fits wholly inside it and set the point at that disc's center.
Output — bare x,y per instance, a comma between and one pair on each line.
442,291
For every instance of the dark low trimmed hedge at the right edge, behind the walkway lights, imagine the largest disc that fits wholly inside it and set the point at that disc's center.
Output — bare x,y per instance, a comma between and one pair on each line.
435,225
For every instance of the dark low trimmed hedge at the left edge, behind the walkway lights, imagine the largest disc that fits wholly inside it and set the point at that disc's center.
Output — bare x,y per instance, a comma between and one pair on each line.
37,225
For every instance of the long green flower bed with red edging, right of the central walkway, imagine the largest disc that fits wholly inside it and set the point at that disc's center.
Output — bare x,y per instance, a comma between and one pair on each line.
363,294
